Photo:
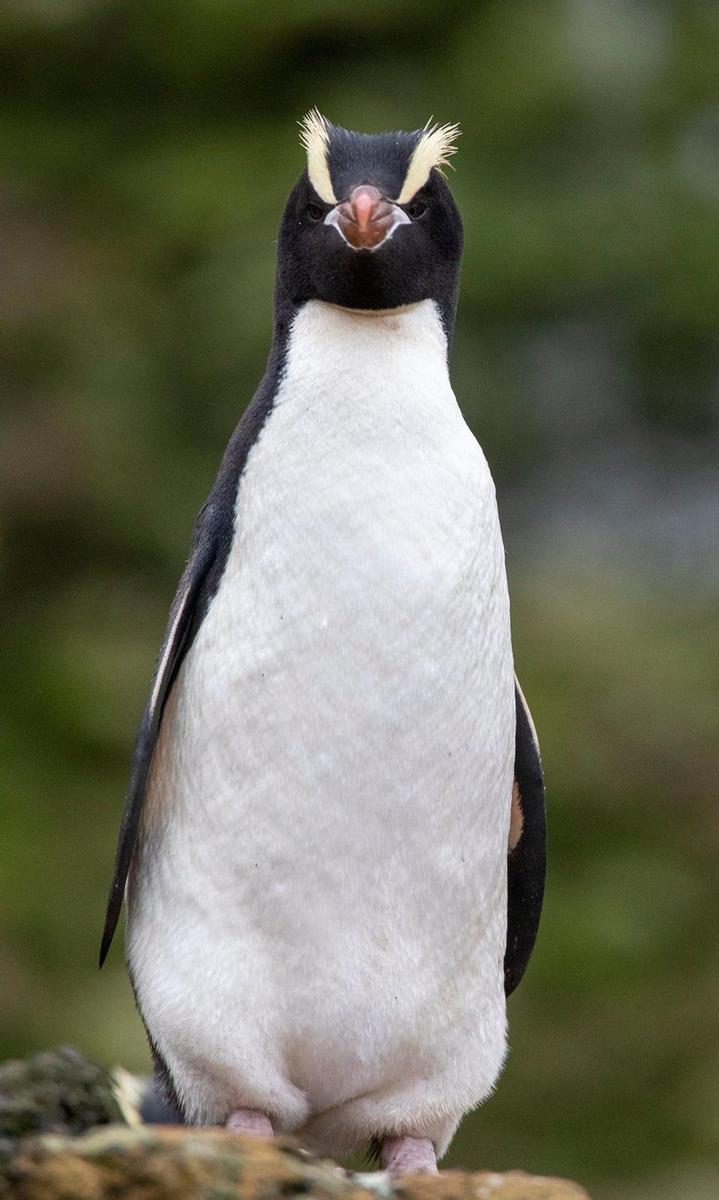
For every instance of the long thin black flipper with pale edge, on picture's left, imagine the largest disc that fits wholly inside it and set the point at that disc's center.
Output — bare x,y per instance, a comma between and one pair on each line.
185,616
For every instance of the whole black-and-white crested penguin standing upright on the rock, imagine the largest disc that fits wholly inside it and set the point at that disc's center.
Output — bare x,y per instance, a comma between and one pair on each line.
333,848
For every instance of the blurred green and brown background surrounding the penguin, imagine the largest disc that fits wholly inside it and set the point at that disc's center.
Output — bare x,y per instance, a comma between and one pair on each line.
148,149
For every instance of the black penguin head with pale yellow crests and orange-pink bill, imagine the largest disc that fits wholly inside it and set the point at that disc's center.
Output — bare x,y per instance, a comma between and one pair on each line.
372,224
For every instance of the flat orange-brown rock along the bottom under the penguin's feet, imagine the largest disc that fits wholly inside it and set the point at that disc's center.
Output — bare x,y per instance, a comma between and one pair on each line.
161,1163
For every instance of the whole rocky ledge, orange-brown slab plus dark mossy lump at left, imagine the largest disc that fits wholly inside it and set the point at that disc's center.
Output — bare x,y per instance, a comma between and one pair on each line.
165,1163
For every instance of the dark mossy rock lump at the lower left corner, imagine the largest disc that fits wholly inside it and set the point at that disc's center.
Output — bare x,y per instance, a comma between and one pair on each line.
57,1091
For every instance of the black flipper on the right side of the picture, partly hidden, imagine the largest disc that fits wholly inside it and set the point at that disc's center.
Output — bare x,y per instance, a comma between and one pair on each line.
528,848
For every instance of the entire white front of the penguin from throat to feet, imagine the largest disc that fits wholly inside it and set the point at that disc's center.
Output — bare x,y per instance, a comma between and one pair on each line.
317,914
